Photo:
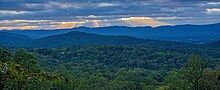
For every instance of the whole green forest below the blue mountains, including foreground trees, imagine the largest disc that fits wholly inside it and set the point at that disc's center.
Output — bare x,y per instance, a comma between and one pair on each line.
111,67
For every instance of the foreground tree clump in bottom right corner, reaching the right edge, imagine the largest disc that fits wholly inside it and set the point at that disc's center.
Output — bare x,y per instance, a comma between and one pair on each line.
193,76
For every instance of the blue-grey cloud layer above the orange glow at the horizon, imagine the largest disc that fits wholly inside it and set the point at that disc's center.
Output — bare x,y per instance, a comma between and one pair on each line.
107,9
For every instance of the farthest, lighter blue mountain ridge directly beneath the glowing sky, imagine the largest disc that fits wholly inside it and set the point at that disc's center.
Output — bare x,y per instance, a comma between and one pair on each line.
182,33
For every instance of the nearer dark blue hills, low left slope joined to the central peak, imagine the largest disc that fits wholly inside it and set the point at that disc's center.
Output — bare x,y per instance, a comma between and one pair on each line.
67,39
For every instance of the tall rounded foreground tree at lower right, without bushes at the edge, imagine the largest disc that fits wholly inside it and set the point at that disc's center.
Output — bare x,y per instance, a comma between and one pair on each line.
189,76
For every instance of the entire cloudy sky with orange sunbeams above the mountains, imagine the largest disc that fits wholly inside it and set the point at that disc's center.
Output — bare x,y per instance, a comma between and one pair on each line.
61,14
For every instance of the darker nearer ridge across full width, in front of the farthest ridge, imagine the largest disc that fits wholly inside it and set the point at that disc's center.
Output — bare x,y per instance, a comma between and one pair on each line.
82,38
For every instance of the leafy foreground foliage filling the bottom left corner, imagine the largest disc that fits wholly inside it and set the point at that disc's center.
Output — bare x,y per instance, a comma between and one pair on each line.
19,71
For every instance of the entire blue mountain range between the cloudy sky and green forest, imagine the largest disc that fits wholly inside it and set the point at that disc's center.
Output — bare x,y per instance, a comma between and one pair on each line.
111,35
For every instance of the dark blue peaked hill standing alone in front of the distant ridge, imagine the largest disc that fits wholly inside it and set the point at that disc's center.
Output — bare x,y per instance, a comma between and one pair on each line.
80,38
